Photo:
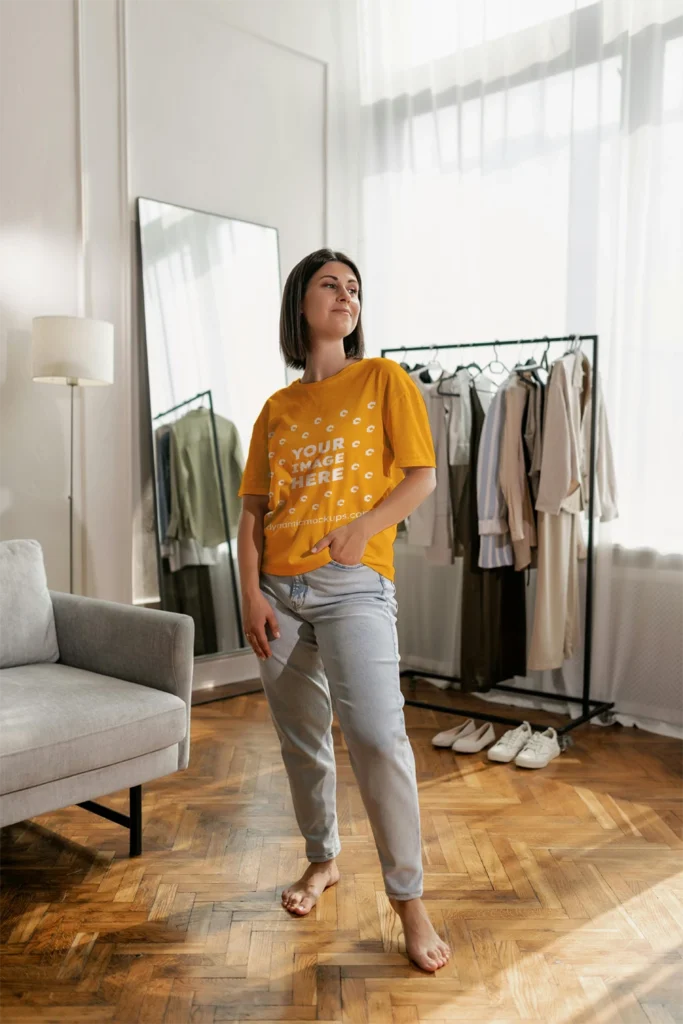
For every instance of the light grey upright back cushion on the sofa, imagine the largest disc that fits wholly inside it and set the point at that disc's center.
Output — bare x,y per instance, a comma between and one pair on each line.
27,621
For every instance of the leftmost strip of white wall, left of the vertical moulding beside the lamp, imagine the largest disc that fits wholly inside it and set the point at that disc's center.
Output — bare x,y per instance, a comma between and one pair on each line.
39,209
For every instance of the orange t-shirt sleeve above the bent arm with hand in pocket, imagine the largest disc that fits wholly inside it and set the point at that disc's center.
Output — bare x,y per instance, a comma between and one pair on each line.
406,422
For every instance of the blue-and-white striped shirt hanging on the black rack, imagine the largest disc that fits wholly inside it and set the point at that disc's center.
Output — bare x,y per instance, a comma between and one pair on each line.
495,544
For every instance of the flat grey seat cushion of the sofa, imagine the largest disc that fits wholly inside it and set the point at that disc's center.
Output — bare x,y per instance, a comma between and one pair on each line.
57,721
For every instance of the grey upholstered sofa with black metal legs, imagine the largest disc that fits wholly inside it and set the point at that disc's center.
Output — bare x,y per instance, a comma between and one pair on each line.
104,705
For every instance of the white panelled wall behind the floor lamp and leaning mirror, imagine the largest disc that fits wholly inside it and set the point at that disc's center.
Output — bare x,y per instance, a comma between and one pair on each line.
238,107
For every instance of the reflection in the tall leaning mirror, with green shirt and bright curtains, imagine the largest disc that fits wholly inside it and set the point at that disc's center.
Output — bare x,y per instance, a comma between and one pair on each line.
211,287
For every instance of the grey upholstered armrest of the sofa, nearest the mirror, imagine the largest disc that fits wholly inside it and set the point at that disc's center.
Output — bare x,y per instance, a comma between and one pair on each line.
140,646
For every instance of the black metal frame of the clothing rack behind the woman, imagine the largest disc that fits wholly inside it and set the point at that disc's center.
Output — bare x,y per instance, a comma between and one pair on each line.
590,707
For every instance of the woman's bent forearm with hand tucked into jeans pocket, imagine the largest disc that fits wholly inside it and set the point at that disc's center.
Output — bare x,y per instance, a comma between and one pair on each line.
349,543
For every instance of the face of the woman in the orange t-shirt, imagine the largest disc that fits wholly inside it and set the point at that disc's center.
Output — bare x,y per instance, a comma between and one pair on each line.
331,305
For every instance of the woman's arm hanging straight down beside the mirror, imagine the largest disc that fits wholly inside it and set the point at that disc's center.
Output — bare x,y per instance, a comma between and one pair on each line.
257,612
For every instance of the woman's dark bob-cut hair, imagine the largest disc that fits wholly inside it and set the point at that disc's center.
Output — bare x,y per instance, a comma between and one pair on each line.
293,326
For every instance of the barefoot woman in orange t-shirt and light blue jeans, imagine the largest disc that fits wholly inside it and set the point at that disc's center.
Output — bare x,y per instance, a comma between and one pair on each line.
336,460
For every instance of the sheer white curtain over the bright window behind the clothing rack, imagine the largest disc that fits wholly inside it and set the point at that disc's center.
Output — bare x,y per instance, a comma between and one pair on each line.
523,176
